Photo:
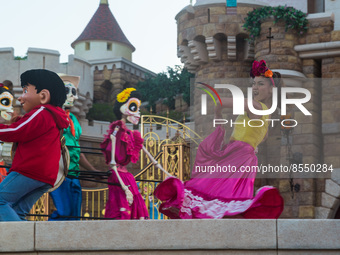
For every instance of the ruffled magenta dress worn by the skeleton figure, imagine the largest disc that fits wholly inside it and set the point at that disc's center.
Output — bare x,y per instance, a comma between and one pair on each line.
128,145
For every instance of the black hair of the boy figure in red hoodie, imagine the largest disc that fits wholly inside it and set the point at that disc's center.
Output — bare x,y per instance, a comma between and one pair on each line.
45,79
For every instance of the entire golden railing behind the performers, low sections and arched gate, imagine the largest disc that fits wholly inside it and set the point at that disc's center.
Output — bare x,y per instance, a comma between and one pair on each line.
171,151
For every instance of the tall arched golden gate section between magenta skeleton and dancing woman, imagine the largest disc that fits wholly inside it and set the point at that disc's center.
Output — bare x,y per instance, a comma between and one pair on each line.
173,153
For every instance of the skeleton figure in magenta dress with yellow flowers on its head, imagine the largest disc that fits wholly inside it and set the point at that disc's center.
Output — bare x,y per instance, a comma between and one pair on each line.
128,145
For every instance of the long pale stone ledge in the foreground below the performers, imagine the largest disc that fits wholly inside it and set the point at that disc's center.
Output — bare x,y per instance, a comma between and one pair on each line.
227,236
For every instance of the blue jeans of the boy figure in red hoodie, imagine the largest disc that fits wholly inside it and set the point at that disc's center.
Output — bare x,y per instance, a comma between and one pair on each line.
18,194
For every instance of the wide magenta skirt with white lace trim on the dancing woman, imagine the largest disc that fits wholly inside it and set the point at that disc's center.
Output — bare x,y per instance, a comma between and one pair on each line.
222,185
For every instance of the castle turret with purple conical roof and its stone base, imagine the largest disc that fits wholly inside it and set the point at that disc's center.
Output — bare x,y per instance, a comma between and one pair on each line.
104,45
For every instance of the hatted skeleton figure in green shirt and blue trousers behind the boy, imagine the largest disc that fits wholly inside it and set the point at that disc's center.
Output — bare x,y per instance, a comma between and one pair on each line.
67,198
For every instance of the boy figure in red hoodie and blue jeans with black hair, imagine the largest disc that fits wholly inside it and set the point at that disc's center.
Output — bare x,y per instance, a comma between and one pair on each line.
37,134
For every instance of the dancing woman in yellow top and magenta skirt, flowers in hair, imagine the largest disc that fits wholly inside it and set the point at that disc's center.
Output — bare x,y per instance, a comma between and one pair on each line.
228,194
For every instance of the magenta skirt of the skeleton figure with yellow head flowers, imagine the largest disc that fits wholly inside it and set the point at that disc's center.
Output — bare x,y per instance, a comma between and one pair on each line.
117,205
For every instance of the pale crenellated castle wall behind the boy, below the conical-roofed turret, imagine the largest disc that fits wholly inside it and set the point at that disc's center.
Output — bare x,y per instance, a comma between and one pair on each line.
101,79
